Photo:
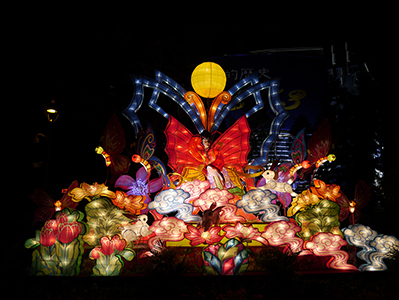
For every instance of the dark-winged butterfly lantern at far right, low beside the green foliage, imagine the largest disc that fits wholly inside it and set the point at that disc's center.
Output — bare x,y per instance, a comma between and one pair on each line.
352,208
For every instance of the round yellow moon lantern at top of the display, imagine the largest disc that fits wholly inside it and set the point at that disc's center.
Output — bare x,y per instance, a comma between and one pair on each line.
208,80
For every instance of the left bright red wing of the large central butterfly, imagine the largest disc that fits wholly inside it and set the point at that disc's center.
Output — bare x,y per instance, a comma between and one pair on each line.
177,145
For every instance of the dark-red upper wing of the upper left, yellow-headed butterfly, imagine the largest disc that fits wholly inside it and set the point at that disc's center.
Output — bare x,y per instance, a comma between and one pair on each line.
114,137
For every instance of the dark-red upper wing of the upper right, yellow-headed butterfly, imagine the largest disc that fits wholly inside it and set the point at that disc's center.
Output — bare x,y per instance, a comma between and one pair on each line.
320,142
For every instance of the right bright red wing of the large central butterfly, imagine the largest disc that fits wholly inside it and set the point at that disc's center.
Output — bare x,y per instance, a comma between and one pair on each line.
233,144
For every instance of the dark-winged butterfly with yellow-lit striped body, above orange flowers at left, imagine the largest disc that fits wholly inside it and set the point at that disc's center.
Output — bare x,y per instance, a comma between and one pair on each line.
113,142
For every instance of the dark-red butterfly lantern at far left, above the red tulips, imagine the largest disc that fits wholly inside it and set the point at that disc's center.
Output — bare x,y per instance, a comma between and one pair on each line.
47,206
